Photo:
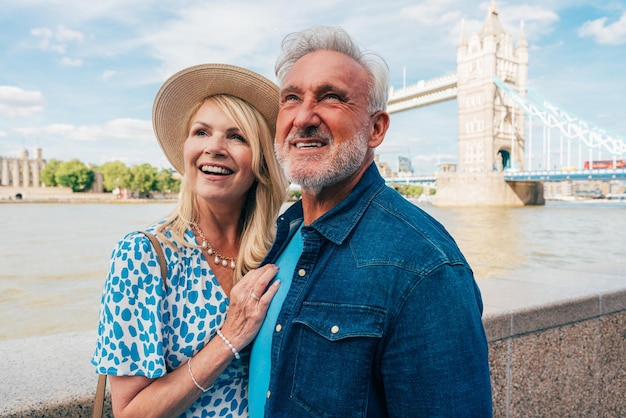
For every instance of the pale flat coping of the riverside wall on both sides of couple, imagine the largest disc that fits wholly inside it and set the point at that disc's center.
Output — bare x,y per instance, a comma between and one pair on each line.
52,375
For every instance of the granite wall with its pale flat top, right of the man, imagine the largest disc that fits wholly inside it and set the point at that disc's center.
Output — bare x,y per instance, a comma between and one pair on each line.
557,342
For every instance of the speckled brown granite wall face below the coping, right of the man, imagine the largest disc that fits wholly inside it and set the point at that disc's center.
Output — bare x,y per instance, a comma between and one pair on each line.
566,371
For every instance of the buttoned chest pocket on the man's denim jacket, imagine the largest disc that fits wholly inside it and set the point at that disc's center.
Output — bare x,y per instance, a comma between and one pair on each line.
335,352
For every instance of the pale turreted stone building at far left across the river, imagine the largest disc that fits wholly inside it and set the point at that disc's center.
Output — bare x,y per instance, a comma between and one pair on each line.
22,171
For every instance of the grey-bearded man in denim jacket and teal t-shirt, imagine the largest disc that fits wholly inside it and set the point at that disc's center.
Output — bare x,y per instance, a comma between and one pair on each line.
378,313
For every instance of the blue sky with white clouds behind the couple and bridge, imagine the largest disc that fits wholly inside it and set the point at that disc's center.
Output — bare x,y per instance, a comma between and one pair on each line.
78,78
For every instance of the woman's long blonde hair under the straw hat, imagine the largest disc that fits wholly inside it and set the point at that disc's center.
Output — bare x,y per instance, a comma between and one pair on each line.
264,198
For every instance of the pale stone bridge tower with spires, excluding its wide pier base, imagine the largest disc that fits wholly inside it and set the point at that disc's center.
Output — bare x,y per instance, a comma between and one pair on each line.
491,129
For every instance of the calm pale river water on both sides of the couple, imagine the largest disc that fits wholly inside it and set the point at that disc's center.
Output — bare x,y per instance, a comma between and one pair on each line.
55,256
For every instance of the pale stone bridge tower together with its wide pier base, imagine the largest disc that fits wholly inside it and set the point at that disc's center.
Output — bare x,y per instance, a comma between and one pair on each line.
491,129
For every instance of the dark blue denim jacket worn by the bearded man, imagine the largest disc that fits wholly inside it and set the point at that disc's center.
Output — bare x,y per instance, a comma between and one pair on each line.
383,317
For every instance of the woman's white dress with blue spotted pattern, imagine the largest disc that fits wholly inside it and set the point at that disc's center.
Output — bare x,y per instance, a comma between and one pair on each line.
145,332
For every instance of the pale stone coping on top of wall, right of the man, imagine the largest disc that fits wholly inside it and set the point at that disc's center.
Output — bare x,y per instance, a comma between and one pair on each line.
521,304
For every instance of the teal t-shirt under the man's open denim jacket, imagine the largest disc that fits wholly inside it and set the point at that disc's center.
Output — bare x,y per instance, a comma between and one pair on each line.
260,361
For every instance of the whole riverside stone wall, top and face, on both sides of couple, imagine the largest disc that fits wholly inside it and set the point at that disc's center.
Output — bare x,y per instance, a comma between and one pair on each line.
557,342
